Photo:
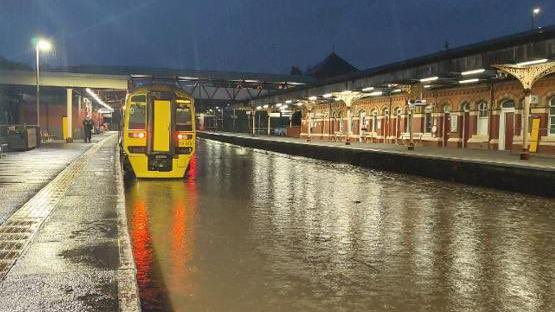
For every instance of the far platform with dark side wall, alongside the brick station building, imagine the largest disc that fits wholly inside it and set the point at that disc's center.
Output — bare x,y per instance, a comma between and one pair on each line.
496,169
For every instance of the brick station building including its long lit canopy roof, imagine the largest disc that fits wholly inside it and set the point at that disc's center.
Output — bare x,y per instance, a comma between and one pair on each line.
469,103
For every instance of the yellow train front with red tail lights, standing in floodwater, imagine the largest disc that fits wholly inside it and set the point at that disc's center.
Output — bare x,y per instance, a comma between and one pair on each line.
158,135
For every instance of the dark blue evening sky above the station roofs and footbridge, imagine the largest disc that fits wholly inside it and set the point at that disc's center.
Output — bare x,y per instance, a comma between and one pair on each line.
254,35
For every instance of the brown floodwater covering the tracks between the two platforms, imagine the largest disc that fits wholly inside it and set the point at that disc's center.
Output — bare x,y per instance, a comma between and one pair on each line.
249,230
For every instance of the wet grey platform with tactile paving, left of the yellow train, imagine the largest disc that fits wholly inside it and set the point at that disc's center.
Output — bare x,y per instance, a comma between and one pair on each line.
64,244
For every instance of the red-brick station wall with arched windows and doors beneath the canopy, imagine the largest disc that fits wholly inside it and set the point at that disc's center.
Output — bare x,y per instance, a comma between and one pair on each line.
483,116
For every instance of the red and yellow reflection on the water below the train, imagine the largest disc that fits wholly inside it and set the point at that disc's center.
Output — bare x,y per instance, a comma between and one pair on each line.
163,222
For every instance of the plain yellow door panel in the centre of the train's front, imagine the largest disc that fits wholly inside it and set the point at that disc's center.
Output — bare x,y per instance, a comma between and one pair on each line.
162,125
